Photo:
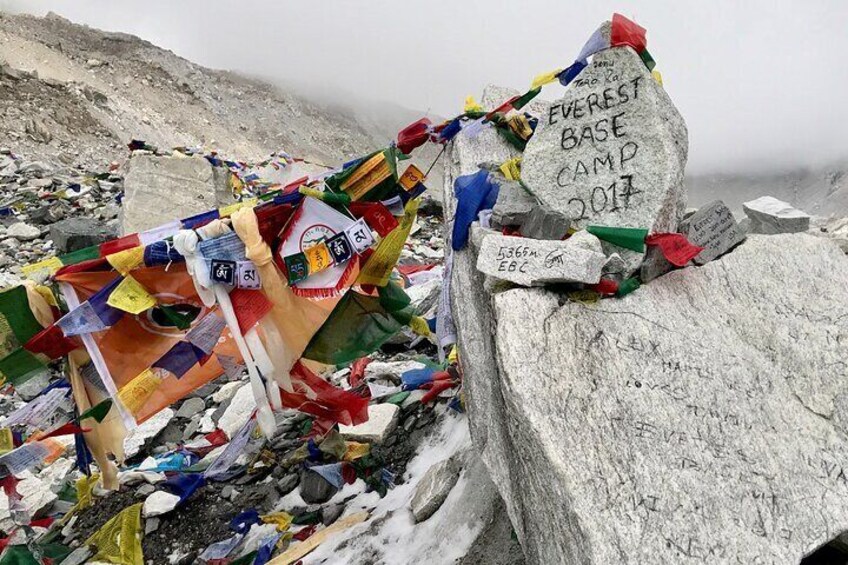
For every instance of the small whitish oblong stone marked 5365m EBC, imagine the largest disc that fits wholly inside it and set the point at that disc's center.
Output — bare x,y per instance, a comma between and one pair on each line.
535,262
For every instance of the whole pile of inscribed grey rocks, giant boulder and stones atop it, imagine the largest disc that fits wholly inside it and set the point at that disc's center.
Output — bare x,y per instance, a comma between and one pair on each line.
631,429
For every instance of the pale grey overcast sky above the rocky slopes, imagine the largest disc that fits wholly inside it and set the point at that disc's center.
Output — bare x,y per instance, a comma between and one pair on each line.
760,83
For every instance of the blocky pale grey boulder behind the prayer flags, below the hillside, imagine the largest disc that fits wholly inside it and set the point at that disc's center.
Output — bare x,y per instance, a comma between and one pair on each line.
158,190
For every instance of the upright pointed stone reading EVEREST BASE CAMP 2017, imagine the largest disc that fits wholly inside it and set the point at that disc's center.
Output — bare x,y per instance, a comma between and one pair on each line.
613,150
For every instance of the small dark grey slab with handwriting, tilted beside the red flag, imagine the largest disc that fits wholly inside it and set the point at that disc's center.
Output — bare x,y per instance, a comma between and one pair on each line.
714,228
